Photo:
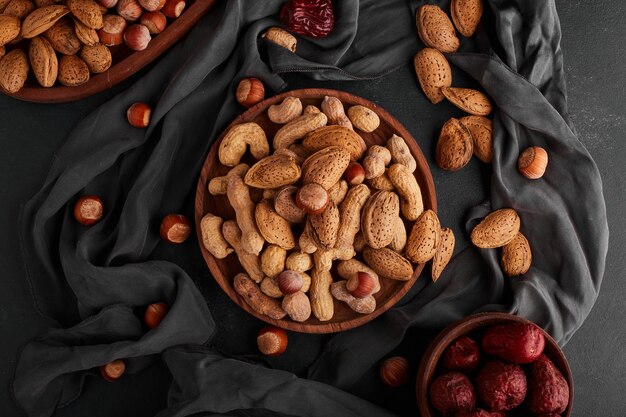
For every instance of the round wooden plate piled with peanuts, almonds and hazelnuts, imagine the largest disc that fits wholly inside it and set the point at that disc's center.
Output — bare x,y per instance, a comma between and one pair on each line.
316,211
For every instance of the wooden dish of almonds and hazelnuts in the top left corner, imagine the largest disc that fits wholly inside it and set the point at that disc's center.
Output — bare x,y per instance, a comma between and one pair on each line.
58,51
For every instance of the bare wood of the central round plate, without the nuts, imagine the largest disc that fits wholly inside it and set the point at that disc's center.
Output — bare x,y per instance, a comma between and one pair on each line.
225,270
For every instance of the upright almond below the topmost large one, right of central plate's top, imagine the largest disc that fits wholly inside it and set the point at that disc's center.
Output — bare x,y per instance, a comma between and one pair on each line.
433,72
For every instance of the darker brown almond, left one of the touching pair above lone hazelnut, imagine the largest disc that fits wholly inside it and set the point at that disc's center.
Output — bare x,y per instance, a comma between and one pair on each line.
454,147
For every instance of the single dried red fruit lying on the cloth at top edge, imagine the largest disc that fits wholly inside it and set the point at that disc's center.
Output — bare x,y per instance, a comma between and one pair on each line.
314,18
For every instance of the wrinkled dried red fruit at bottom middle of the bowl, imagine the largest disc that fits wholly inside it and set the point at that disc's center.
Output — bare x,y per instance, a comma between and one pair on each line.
501,385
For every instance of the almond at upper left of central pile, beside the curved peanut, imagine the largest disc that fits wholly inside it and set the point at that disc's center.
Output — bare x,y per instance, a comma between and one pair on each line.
273,171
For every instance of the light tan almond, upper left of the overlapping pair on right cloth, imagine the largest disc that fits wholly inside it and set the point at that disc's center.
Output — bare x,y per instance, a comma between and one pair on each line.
497,229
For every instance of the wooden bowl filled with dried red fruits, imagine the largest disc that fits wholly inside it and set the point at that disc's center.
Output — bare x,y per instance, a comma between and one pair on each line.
494,365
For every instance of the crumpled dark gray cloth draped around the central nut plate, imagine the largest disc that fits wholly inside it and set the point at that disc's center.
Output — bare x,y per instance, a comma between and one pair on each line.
90,282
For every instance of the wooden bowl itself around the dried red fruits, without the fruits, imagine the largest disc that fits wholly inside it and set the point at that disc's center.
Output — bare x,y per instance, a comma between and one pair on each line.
476,323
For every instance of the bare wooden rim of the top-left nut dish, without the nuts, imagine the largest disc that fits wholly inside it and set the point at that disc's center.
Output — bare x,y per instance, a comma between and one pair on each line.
125,62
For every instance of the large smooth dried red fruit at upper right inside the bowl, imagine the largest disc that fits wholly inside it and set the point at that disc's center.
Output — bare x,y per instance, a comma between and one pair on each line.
516,342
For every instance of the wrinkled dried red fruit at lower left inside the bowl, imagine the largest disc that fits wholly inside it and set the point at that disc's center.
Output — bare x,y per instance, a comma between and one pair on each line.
452,392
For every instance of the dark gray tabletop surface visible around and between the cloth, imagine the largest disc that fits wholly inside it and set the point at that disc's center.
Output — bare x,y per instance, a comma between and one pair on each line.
595,63
